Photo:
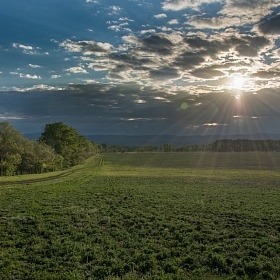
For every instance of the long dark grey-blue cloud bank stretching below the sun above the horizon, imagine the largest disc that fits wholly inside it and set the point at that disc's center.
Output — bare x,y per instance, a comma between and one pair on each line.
115,109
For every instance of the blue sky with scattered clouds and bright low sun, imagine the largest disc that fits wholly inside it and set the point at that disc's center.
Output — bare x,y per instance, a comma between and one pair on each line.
141,67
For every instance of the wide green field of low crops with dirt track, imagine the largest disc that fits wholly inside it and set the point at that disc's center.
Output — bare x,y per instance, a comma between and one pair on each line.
145,216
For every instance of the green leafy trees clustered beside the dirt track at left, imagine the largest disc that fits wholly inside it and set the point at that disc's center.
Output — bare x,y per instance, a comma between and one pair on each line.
60,146
